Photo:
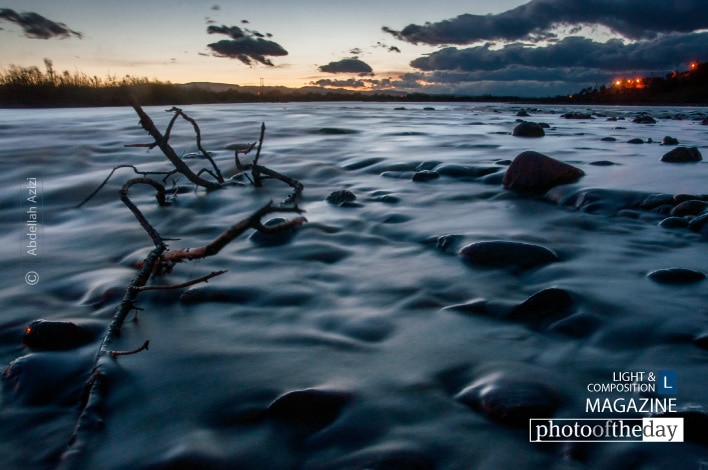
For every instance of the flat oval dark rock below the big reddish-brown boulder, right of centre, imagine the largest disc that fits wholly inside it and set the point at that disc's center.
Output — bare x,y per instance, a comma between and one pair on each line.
508,253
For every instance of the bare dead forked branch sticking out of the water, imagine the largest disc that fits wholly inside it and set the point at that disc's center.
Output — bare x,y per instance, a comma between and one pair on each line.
160,259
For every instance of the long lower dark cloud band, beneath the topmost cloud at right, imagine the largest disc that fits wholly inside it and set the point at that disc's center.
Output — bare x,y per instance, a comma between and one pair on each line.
666,52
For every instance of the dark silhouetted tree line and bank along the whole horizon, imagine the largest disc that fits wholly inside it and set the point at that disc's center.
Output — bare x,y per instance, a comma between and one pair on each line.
32,87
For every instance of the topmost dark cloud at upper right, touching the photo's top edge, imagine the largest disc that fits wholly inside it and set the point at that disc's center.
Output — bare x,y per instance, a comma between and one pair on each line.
633,19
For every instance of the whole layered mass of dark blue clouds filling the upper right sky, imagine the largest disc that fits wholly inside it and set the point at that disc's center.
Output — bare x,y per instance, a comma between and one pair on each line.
524,49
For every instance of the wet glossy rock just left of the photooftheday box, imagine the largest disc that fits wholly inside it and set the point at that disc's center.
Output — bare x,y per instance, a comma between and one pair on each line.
510,402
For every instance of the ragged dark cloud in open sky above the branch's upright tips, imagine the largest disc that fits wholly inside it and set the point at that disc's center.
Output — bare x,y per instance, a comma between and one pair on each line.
245,45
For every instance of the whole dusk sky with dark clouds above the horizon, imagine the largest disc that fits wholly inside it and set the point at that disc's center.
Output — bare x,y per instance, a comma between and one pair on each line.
498,47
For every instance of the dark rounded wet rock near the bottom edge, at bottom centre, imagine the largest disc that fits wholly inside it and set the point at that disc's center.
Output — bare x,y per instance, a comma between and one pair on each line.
313,408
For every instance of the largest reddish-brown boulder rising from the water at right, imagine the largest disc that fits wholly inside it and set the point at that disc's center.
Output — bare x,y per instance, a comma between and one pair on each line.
534,172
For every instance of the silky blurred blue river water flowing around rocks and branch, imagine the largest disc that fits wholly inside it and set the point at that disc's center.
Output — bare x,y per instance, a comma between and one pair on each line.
357,302
